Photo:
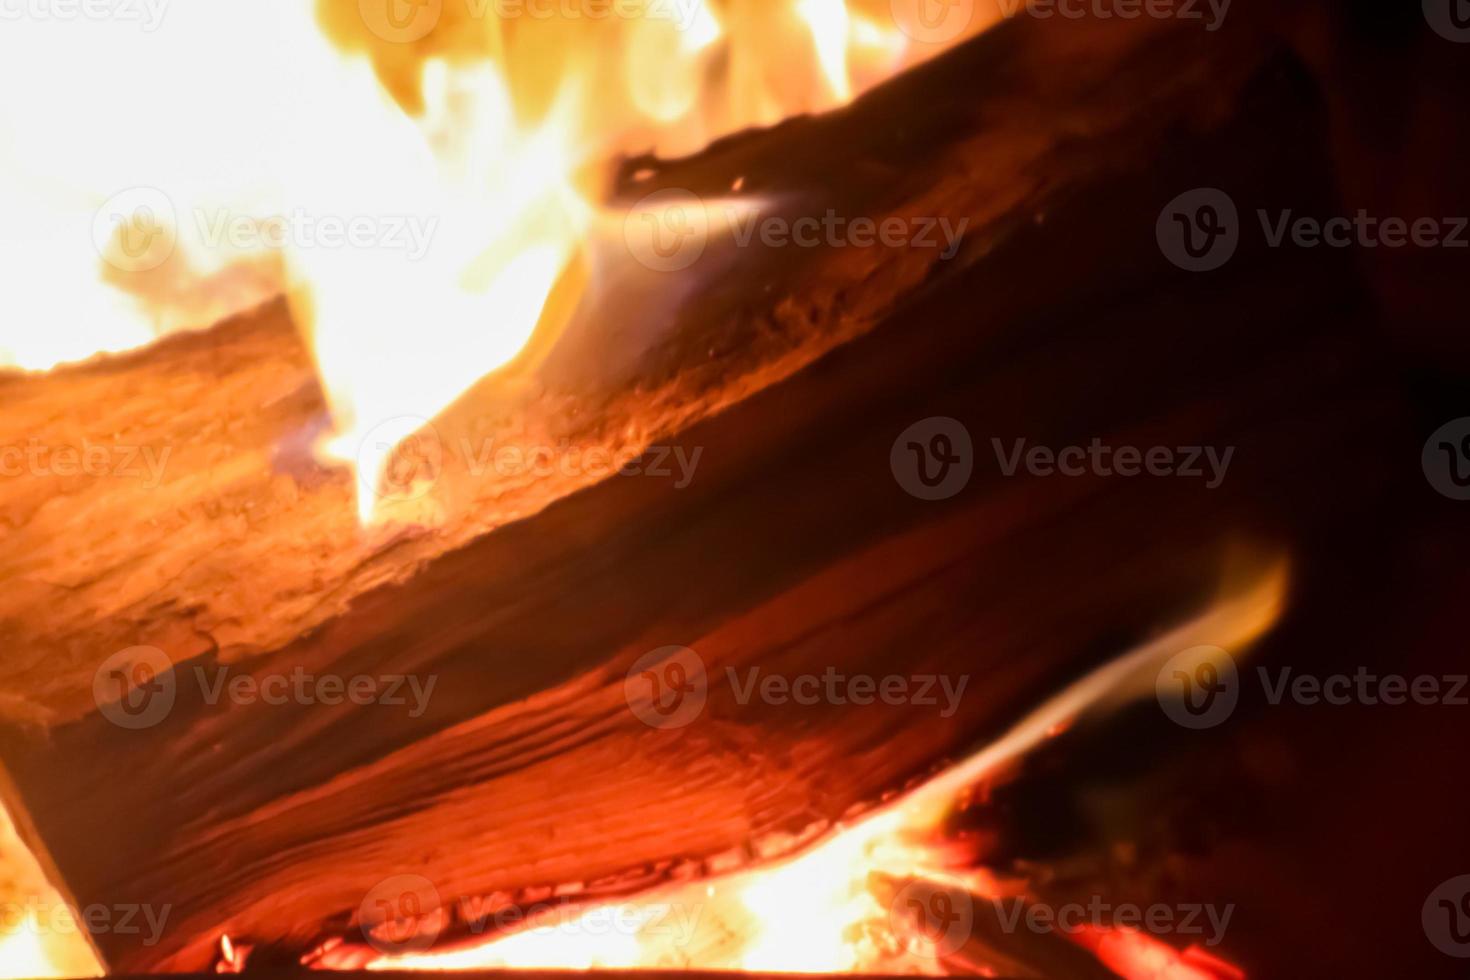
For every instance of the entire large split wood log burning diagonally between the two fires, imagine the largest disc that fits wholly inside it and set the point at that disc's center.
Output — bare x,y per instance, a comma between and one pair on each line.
795,550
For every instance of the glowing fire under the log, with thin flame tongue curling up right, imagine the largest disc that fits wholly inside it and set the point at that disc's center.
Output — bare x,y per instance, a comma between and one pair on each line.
859,901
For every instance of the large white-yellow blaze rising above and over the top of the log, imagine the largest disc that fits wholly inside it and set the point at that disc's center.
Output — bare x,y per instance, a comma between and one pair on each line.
418,179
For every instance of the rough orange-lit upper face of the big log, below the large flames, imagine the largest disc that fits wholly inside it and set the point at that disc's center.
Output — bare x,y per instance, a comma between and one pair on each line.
211,530
